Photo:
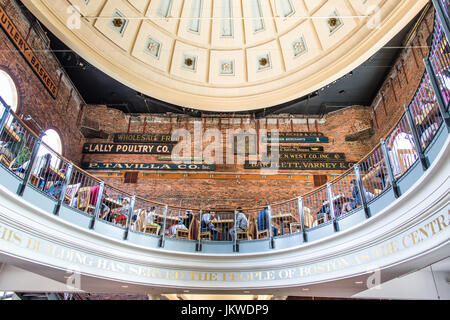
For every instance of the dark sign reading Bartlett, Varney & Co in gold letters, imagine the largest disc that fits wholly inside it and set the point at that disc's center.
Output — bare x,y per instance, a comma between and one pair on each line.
301,165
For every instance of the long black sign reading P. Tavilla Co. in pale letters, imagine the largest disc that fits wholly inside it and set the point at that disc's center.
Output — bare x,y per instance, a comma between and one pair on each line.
147,166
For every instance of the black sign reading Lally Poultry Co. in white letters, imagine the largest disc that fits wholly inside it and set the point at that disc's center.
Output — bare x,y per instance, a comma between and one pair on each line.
118,148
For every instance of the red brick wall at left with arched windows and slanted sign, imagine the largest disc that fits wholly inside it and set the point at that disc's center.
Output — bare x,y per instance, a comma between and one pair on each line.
34,99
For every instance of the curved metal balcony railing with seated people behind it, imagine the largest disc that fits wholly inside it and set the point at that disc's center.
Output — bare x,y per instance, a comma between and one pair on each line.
39,167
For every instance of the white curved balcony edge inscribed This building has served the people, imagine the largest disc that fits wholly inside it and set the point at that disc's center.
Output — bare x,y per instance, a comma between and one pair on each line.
412,227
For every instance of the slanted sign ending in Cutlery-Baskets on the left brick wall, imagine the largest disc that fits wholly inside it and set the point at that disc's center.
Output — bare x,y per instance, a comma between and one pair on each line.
27,52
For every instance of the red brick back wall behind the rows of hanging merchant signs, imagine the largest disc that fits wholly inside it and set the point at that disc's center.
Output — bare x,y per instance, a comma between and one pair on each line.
215,191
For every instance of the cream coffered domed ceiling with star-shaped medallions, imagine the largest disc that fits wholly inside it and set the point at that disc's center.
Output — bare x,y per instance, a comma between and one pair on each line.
225,55
